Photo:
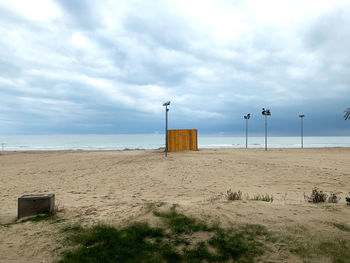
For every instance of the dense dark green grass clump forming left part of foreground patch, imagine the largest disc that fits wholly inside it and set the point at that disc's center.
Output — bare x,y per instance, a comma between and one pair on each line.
108,244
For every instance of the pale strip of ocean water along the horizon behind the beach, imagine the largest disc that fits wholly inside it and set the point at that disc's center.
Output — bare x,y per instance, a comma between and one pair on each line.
154,141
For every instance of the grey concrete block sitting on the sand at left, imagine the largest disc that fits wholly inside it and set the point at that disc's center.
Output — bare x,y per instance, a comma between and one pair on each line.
30,205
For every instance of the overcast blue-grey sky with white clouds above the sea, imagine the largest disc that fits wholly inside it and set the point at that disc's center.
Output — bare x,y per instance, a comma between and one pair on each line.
106,67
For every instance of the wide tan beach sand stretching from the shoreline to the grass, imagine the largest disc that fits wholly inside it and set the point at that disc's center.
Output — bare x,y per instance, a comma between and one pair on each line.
115,187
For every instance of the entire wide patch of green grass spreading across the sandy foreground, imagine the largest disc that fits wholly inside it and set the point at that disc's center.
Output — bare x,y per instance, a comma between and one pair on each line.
174,242
